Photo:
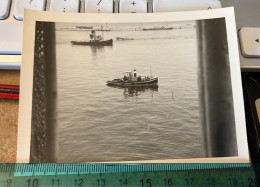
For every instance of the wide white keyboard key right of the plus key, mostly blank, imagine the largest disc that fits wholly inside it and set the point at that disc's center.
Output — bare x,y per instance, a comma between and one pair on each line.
183,5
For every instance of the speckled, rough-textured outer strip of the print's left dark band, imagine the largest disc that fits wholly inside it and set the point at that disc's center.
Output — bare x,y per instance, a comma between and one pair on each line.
38,139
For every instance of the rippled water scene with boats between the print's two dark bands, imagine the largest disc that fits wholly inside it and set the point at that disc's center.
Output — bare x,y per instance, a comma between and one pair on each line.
127,92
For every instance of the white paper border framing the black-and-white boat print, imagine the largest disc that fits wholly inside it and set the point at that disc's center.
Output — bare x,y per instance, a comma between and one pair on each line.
26,89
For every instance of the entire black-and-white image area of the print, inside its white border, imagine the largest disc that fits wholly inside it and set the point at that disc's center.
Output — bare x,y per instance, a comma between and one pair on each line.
131,91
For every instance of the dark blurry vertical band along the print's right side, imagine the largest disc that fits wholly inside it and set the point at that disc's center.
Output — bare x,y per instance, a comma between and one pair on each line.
216,97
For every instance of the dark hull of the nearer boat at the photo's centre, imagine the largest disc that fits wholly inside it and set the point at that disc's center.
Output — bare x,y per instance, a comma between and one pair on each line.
118,83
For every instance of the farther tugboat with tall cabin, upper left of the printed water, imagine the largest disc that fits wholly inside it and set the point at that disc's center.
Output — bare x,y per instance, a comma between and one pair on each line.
95,40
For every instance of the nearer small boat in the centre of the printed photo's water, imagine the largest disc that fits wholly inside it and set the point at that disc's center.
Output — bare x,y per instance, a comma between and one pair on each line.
131,79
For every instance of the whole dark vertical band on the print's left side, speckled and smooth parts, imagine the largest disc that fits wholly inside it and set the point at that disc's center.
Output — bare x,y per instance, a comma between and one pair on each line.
43,142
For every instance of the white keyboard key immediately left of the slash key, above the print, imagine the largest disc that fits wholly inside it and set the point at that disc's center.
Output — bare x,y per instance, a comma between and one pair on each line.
65,5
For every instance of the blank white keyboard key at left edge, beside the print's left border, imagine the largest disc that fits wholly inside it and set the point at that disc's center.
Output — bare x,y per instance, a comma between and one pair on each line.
11,38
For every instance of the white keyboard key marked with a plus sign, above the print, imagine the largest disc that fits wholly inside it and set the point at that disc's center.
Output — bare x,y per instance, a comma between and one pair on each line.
133,6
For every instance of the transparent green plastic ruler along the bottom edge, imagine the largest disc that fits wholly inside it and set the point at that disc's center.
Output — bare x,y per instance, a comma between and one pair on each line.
143,175
